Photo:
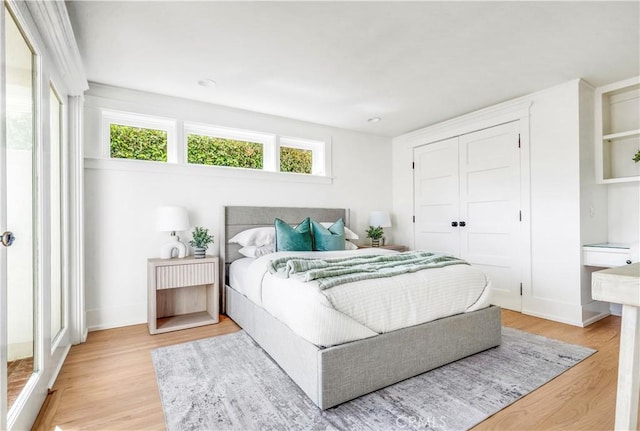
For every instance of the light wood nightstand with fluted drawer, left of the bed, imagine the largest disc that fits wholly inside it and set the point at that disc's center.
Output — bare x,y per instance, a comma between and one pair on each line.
182,293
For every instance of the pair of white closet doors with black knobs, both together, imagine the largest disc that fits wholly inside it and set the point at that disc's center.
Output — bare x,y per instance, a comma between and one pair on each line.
467,203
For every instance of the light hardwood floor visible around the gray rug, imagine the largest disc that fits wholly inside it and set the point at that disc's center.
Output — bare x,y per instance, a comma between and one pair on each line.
109,383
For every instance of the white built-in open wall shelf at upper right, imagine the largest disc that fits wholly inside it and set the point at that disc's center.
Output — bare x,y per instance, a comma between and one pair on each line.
617,134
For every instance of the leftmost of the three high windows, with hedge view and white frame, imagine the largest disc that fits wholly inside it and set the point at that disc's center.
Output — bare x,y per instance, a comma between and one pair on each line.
138,137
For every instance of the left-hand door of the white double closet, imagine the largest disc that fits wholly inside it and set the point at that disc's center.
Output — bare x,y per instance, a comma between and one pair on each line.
436,200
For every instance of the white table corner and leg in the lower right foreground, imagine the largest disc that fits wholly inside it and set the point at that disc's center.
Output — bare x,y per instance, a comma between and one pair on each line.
621,285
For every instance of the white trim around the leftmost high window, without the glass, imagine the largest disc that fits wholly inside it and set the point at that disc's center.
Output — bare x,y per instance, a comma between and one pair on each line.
143,121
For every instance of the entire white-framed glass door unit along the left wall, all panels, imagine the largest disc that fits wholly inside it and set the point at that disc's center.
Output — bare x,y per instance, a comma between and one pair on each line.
33,293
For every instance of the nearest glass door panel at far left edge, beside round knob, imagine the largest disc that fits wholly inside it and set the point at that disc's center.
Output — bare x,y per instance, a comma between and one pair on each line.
20,207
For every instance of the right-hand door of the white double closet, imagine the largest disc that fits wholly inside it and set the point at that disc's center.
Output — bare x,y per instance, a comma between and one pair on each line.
490,208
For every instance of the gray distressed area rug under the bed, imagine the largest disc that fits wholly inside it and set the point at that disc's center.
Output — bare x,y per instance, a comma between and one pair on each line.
230,383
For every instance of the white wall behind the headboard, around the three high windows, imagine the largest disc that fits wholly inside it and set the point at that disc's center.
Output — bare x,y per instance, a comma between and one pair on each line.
121,196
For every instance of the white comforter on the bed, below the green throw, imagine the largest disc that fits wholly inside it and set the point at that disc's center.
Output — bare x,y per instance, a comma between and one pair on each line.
362,309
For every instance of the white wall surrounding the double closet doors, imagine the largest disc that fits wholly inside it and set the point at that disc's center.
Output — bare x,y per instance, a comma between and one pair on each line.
562,191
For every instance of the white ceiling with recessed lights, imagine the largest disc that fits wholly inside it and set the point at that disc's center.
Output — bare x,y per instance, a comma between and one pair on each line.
340,63
